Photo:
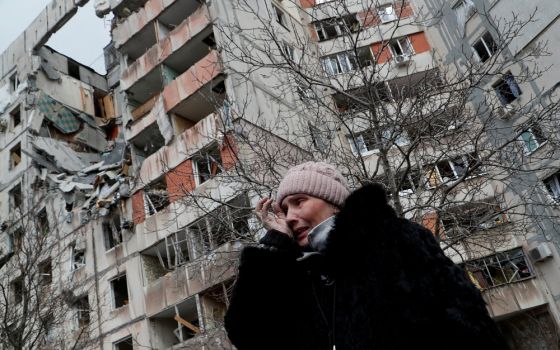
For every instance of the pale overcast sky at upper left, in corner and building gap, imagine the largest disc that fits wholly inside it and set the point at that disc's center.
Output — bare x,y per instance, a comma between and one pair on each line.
82,38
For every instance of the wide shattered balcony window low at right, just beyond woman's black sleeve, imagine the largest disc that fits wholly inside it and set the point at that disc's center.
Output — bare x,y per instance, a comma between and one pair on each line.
501,268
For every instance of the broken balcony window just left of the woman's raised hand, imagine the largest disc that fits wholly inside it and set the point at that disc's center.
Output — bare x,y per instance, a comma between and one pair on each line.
224,224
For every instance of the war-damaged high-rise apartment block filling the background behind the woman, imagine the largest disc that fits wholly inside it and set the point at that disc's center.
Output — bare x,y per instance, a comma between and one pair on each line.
126,197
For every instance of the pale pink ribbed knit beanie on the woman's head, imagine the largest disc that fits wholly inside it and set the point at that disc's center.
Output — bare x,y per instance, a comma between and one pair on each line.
316,179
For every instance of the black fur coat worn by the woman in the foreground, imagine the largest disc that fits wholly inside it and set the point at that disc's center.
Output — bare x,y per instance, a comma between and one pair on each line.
383,283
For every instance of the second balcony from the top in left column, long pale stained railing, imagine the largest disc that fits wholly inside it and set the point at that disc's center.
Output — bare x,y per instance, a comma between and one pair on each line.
177,52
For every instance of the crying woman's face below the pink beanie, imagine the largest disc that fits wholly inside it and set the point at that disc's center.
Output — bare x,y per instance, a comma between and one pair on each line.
303,212
